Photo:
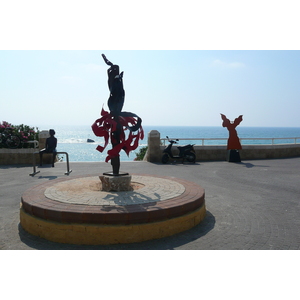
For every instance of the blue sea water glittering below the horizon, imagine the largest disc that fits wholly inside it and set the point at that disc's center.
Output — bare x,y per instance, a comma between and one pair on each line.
73,139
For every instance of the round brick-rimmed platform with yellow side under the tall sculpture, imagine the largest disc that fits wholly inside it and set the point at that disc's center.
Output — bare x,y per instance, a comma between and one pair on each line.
77,211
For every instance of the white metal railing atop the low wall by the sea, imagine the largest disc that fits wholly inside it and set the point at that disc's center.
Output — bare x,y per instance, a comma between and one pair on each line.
163,140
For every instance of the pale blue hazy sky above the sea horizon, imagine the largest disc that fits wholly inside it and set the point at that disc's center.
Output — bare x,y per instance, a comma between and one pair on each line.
162,87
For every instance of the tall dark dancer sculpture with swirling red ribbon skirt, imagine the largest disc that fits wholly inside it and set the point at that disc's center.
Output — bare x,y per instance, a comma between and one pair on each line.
112,125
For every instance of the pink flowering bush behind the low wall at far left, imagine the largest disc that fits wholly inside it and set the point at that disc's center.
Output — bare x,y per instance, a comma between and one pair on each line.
24,132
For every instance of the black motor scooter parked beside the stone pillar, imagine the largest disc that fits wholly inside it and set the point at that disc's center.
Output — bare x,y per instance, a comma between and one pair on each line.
185,152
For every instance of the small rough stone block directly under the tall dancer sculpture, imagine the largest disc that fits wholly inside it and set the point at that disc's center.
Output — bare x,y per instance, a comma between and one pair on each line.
116,183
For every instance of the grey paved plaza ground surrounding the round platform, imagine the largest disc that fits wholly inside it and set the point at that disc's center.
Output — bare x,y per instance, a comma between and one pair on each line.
250,205
